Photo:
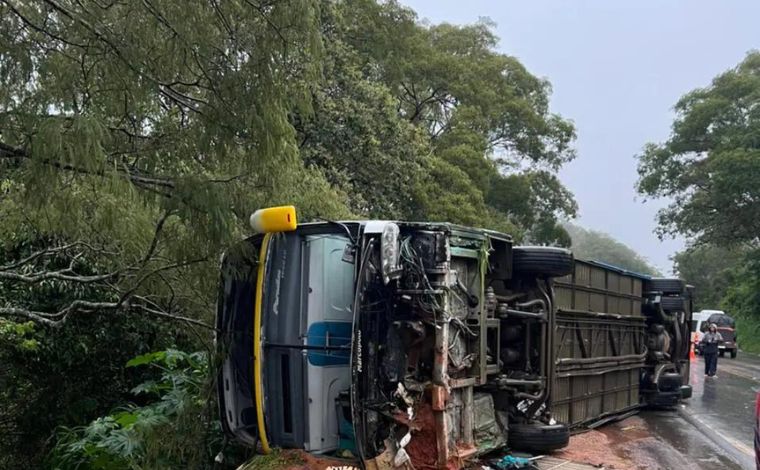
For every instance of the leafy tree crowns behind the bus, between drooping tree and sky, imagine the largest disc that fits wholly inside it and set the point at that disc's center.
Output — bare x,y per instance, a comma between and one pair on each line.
430,122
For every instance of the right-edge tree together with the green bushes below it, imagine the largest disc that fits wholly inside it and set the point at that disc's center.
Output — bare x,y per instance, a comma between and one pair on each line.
709,168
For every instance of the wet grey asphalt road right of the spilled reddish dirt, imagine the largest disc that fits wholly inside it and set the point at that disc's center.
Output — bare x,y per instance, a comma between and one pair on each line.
722,408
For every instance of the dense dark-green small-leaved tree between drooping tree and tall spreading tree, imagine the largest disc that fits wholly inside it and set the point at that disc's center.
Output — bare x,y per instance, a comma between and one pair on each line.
354,135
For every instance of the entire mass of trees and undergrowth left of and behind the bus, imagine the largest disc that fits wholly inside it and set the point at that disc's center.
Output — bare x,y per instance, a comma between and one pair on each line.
137,137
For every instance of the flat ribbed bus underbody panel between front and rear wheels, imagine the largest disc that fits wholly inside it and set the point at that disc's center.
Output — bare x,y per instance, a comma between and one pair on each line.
601,344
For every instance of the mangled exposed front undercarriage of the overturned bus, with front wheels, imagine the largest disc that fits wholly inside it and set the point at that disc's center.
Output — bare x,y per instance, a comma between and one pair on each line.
451,355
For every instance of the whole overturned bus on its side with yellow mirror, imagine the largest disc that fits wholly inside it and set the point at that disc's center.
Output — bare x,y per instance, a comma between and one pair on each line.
433,344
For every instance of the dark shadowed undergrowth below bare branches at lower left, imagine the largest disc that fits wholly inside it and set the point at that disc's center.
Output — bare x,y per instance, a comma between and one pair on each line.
69,377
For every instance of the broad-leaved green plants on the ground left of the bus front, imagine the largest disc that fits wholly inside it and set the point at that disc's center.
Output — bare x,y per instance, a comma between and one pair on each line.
127,438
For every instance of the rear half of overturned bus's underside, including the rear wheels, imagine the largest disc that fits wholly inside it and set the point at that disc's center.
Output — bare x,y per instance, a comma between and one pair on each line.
622,342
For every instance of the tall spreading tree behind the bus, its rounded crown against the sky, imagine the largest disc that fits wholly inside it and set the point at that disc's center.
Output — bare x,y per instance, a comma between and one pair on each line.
482,111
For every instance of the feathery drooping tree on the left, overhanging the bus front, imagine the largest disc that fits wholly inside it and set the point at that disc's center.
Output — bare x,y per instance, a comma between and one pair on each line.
135,137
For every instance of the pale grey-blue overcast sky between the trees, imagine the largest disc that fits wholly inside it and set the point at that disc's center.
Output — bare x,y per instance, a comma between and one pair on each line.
616,69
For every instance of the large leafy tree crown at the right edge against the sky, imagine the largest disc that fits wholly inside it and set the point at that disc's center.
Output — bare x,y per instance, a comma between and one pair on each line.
710,165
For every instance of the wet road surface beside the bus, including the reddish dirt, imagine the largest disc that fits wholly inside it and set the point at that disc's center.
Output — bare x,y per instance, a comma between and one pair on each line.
712,430
